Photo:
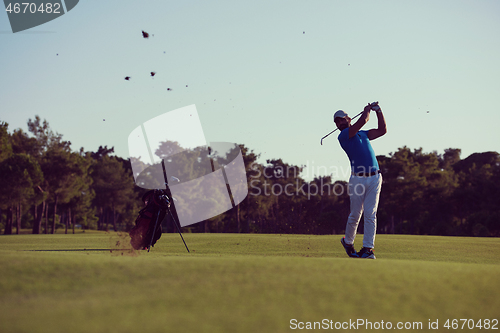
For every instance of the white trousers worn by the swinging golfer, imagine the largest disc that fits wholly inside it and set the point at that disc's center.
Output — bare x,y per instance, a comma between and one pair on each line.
364,193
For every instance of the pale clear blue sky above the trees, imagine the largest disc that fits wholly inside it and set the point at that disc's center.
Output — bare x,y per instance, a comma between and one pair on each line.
266,74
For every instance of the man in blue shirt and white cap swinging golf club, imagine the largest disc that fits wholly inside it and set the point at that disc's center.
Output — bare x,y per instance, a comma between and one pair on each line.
365,182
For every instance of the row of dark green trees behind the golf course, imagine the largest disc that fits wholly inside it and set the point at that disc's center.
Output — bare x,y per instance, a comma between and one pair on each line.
45,186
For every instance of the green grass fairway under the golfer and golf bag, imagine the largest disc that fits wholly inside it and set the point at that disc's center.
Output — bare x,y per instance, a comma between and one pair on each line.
243,283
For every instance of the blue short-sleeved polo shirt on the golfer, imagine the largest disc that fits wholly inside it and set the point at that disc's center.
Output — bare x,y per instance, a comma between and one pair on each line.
359,150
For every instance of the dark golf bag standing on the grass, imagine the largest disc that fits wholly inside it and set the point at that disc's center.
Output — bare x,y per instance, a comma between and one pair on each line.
147,228
